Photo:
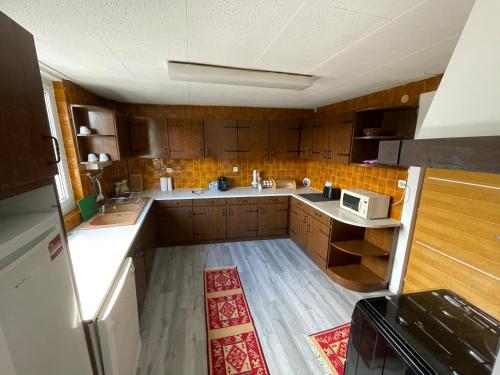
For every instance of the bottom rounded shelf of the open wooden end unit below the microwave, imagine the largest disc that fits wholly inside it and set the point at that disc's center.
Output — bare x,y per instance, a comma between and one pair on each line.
357,277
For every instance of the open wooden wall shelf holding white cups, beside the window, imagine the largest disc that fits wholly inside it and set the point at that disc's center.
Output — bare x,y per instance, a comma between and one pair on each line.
108,132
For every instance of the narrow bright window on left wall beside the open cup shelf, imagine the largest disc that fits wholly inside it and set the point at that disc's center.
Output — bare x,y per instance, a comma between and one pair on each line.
63,183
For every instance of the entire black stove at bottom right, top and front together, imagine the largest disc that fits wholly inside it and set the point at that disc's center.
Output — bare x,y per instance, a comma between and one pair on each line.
431,332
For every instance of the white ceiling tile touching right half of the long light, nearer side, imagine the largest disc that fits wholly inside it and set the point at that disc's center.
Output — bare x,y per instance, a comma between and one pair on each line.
316,33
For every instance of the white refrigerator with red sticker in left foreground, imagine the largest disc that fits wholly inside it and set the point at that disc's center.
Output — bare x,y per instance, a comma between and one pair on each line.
40,327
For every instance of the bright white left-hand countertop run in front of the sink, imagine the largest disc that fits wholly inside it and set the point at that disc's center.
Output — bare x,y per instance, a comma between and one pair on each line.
97,256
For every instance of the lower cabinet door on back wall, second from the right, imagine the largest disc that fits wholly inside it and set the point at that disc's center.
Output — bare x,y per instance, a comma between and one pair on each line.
242,221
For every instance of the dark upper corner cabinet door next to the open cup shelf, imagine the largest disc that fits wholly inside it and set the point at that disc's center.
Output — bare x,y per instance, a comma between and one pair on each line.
146,137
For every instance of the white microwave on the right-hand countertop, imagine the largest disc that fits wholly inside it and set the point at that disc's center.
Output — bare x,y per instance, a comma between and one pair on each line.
364,203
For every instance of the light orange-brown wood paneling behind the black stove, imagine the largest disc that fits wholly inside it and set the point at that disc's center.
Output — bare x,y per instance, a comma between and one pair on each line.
456,242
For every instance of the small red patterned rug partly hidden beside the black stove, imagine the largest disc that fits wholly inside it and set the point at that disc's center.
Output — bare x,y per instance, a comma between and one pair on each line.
330,347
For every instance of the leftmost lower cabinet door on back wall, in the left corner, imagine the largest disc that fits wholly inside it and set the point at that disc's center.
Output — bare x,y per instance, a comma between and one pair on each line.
175,225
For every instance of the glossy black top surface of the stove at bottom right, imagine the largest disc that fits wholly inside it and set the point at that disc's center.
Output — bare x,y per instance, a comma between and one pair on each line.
448,333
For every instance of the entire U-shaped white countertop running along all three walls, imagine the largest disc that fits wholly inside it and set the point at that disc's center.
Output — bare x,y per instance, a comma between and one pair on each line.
98,254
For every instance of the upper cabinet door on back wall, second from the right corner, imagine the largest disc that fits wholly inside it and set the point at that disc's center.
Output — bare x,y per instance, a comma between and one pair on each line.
253,139
